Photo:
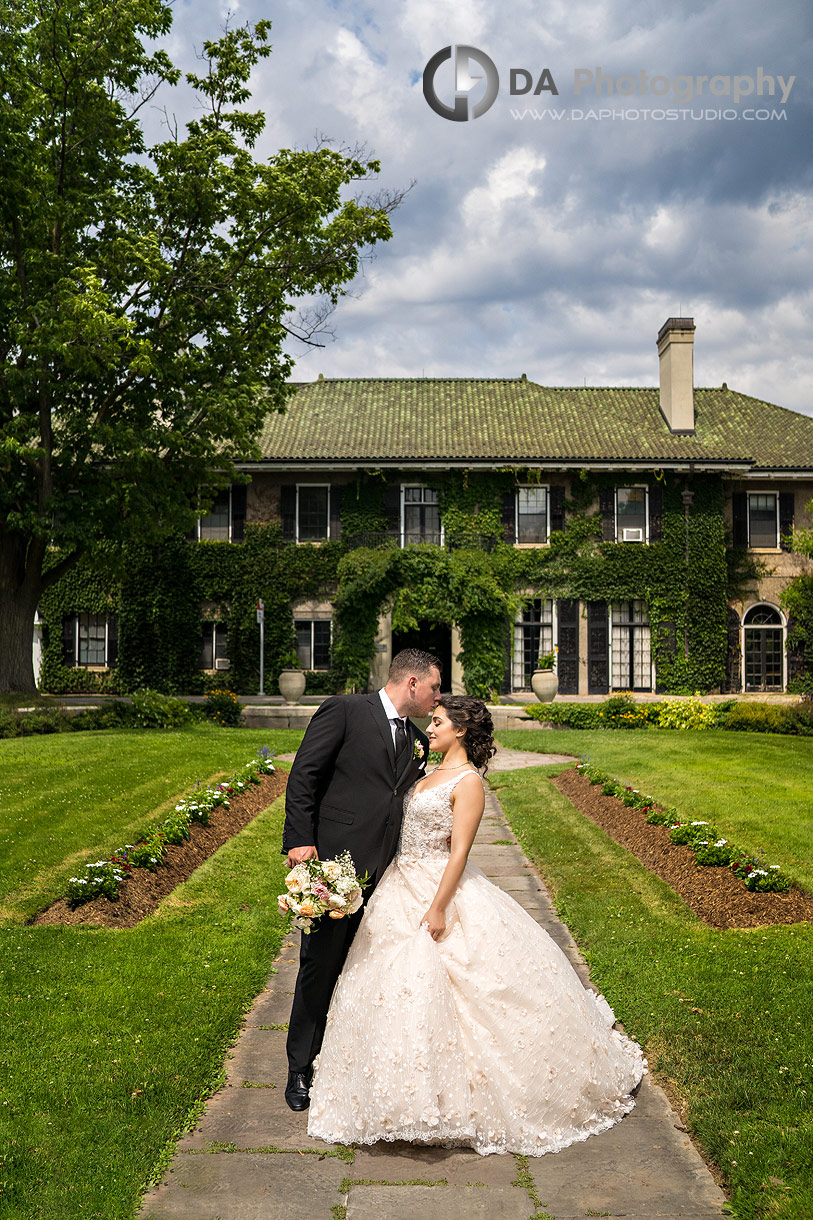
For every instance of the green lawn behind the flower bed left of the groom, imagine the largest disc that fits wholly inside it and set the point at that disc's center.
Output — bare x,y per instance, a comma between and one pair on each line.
71,798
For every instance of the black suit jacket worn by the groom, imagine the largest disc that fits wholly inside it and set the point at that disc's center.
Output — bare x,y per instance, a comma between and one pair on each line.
344,792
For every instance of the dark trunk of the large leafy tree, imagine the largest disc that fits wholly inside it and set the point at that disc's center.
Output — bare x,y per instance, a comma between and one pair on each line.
20,589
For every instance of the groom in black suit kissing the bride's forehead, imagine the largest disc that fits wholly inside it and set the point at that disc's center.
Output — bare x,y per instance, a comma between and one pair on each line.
346,792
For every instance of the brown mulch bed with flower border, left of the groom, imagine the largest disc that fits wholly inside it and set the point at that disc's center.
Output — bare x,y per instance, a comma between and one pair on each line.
141,894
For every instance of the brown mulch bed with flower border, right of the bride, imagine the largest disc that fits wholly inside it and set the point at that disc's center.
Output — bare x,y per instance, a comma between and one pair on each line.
714,894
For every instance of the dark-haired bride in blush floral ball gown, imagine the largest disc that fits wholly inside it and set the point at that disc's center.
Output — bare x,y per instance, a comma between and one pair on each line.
457,1021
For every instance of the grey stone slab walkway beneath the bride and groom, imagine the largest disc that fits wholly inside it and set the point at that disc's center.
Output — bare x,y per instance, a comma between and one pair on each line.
251,1158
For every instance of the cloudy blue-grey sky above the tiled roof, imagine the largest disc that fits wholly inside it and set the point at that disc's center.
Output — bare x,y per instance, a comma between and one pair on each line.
558,247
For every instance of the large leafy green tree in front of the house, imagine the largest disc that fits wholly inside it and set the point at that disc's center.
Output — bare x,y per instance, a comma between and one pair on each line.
146,295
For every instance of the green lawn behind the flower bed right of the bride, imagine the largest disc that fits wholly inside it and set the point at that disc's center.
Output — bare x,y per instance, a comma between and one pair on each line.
754,788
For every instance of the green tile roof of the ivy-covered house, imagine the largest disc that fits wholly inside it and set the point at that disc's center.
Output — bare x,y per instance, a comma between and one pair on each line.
379,420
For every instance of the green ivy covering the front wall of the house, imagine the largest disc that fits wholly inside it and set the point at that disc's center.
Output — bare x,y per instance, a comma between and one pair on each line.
478,584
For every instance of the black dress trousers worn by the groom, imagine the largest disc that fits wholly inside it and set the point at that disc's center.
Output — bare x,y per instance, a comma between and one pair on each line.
322,960
